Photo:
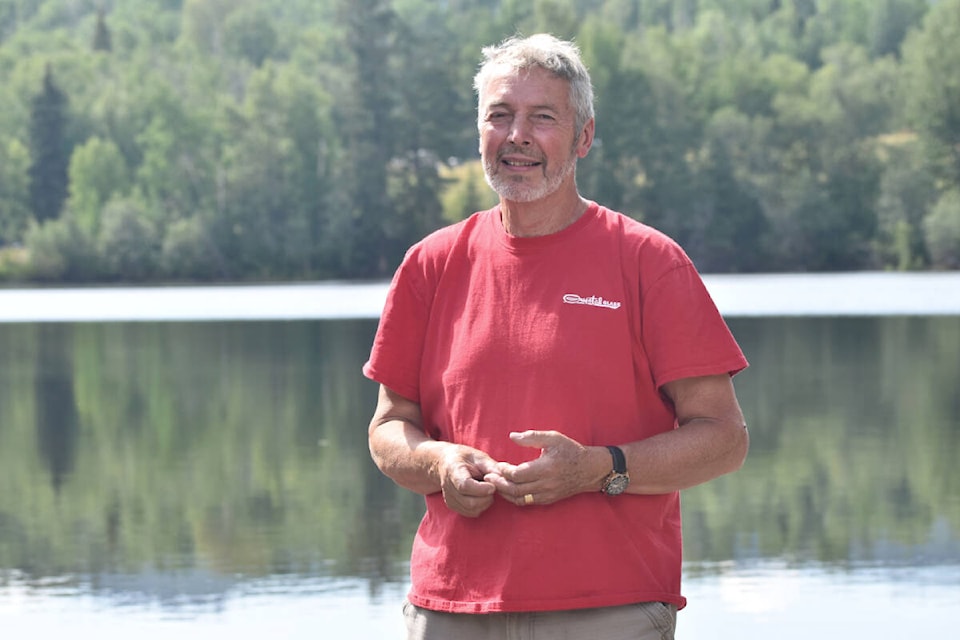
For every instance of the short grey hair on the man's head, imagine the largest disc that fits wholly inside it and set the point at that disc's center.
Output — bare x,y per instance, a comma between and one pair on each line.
559,57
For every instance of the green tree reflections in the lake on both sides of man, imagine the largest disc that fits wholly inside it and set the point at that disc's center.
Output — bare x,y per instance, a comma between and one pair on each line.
189,460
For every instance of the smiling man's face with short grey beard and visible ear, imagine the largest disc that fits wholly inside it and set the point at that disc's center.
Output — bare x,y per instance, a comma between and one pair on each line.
528,142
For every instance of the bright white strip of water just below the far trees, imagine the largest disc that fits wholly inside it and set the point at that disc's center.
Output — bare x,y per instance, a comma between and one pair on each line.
736,295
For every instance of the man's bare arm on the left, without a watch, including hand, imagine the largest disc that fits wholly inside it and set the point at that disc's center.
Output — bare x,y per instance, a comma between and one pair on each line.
404,452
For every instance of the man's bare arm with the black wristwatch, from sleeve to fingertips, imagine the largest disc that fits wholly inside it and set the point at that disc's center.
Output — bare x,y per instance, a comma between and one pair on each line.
711,440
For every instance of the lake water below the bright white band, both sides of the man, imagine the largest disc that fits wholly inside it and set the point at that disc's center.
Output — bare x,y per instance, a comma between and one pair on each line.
211,479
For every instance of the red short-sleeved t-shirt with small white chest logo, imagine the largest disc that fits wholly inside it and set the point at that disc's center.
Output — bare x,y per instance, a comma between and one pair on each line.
574,331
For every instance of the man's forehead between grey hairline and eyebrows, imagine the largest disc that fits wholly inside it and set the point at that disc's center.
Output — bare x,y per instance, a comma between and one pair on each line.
525,87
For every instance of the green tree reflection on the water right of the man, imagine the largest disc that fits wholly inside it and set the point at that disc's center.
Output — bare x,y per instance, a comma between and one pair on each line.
856,429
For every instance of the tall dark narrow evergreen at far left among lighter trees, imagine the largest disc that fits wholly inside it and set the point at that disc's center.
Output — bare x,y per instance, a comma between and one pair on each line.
49,156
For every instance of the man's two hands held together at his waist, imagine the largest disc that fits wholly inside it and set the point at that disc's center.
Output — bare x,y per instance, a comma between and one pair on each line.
470,479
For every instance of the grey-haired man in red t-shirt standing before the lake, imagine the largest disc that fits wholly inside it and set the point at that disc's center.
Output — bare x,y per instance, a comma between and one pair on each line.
552,374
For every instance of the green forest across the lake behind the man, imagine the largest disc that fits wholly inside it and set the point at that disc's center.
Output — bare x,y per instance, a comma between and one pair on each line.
169,141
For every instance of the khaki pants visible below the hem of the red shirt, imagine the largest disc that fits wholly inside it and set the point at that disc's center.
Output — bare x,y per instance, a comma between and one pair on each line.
644,621
